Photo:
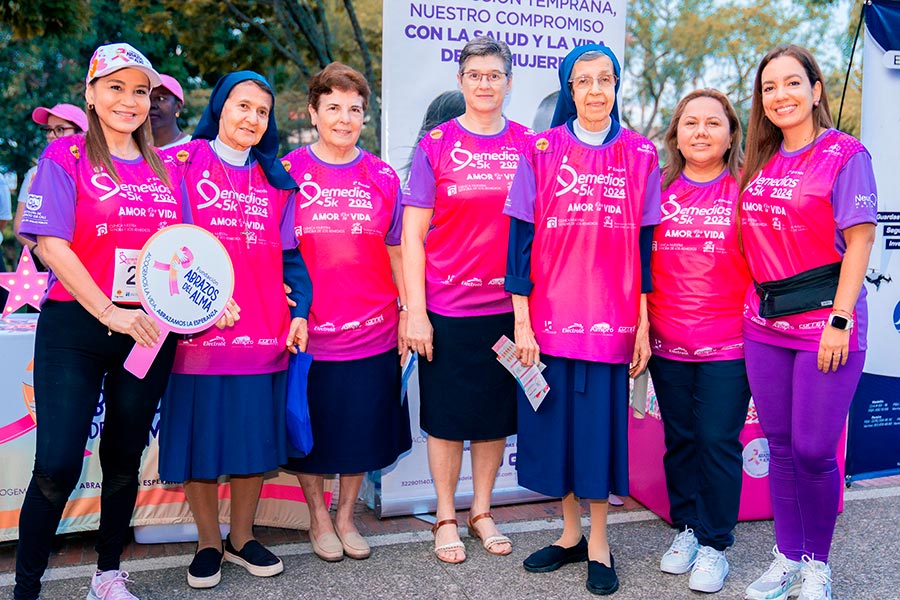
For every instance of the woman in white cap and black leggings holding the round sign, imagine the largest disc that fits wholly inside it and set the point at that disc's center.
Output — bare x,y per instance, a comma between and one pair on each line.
91,319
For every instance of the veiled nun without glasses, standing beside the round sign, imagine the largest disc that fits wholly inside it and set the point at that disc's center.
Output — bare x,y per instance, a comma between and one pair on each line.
223,412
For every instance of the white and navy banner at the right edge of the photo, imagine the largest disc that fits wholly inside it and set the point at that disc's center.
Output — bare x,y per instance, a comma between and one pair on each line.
874,443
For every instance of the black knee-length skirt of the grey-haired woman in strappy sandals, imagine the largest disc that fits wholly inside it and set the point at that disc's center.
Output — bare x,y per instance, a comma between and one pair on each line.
466,394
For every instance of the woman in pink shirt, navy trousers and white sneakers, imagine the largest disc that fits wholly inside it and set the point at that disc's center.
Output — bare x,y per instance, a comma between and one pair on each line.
699,280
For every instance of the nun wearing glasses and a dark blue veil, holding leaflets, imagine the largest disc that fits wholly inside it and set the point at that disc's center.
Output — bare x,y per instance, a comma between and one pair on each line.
582,205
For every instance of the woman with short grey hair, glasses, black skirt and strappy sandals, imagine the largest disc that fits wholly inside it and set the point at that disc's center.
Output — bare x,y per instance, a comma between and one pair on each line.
457,306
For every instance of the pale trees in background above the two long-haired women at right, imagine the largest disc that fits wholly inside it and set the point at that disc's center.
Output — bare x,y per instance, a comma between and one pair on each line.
673,47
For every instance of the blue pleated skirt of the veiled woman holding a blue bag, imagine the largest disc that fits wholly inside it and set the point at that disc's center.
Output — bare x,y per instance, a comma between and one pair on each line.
213,425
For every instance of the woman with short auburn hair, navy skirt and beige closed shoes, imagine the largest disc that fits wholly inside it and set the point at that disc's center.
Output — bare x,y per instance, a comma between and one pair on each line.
348,219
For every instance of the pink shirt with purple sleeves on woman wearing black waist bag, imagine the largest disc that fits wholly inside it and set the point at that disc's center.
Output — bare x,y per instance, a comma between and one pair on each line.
792,217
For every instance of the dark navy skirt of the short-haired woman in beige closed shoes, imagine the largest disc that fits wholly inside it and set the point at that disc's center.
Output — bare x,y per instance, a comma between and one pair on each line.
358,421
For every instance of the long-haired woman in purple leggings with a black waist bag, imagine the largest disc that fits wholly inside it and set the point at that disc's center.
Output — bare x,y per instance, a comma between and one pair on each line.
808,211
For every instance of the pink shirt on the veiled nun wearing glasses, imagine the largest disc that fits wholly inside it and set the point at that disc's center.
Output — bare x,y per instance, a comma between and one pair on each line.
587,204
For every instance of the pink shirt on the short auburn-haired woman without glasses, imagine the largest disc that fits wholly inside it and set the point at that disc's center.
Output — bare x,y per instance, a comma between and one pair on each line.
344,217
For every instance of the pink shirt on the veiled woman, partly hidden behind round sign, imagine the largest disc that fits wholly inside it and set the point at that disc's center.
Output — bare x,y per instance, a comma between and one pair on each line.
222,205
